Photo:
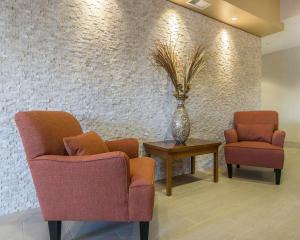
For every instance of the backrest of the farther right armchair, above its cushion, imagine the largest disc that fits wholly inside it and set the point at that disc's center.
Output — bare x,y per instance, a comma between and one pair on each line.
256,117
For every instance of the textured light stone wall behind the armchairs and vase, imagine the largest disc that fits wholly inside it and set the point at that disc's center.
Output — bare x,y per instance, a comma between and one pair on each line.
90,57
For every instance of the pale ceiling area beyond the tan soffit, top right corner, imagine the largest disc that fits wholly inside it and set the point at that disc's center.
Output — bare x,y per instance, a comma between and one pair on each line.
290,37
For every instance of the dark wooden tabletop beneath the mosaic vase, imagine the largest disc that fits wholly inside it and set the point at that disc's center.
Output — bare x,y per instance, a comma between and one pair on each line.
171,146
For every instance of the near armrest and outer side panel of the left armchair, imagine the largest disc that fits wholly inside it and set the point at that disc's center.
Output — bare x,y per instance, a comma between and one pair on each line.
82,187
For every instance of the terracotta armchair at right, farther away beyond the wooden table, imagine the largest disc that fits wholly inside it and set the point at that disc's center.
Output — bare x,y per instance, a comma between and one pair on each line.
255,148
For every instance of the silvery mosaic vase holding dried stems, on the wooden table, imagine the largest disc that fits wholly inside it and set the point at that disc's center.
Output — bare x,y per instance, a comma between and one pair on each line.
181,123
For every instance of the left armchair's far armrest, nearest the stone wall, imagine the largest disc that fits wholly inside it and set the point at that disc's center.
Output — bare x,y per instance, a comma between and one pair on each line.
129,145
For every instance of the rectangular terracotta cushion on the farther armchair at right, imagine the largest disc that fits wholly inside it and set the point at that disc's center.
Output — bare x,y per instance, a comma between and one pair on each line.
255,132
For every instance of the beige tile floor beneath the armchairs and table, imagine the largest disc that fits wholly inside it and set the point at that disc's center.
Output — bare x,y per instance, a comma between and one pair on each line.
247,207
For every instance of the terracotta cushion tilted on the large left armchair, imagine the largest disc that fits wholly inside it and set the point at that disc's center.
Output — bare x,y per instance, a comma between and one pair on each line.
89,143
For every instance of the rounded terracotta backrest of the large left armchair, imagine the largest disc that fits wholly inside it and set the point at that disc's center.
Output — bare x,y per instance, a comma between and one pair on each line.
42,132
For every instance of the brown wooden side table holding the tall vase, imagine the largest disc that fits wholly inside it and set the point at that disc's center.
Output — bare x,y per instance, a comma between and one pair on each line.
170,151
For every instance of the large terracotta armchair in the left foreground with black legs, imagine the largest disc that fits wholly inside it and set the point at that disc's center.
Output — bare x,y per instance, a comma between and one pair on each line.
113,186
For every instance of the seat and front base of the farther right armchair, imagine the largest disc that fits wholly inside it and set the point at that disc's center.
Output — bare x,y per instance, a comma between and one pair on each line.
259,154
